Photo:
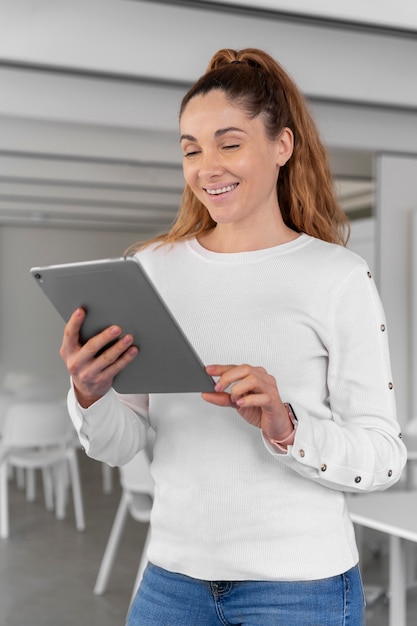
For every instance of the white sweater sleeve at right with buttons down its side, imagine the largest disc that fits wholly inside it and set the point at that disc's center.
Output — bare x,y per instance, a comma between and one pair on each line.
357,446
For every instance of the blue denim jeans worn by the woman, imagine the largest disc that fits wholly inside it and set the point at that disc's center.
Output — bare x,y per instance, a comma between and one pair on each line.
168,599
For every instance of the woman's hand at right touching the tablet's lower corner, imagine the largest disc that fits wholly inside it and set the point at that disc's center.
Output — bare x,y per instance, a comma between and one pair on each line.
254,394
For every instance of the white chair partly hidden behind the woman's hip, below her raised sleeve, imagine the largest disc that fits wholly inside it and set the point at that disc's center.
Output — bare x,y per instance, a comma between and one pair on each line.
137,498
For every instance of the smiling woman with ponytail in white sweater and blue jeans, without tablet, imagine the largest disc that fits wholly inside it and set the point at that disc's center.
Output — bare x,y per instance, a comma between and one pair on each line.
249,524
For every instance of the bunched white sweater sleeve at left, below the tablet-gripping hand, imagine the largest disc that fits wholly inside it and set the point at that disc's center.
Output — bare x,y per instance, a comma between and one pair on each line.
114,428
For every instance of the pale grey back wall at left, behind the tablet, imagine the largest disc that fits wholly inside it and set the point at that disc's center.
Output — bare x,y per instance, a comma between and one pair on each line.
30,328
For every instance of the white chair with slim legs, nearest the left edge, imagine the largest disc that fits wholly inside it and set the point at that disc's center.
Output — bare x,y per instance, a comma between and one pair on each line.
39,435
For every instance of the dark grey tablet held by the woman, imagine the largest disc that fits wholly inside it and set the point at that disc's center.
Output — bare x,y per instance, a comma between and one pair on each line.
118,291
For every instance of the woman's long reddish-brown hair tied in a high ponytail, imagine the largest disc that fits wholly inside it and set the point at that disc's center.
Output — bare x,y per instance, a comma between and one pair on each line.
253,80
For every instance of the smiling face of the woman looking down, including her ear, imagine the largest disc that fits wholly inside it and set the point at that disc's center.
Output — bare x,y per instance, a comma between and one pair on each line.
229,162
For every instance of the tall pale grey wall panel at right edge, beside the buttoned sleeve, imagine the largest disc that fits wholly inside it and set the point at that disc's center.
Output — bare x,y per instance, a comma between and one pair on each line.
396,179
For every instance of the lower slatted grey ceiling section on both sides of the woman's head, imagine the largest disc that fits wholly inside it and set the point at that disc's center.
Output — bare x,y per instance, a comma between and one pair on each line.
67,191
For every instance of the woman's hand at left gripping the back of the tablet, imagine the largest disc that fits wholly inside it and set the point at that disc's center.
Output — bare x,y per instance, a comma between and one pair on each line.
93,376
